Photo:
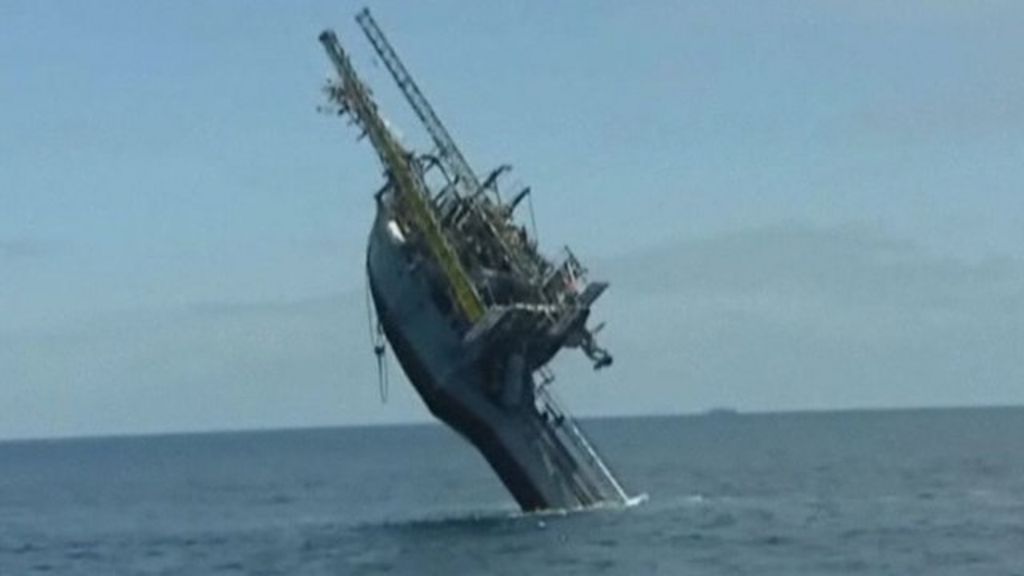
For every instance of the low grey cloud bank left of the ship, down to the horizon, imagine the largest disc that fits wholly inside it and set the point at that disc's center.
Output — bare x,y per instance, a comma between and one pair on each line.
206,366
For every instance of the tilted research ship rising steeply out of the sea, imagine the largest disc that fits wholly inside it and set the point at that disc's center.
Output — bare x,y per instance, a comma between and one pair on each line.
474,312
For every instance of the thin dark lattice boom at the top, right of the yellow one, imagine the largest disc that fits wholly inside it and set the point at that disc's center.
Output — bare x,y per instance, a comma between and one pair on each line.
449,153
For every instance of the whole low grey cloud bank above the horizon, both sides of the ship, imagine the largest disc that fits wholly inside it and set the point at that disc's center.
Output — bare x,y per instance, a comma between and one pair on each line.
783,317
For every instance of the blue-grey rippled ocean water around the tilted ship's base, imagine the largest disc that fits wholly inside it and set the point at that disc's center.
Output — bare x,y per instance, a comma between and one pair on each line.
900,492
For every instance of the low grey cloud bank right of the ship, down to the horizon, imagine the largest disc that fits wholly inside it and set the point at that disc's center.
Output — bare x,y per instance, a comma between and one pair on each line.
795,317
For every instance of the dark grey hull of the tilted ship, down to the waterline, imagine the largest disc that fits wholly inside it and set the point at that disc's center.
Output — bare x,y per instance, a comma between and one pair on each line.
537,451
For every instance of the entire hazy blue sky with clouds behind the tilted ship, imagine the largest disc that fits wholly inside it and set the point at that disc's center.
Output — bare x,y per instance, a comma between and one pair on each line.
799,205
